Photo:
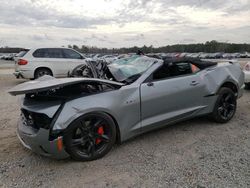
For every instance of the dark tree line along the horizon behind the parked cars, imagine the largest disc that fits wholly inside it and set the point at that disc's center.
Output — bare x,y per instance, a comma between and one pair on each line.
208,47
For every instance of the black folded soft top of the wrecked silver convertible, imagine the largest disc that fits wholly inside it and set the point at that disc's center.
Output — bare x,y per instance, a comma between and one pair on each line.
197,62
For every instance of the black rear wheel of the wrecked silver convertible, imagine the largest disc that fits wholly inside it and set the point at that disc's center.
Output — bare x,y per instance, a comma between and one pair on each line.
225,106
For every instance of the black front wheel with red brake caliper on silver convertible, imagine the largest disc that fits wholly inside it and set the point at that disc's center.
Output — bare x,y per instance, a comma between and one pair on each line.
83,140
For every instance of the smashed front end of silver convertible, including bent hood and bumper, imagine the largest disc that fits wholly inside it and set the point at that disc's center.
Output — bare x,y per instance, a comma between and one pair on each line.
45,99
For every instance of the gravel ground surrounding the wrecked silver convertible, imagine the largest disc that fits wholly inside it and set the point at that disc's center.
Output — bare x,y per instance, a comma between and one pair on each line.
195,153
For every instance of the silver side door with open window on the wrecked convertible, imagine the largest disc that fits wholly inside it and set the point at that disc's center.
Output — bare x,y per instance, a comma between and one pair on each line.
172,92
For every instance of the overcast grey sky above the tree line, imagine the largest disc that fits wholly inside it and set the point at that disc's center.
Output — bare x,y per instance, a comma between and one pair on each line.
122,23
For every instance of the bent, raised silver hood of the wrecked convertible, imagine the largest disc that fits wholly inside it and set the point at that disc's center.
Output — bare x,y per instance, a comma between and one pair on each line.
47,83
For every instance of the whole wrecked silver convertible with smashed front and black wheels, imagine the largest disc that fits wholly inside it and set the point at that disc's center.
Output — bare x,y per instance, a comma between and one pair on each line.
84,117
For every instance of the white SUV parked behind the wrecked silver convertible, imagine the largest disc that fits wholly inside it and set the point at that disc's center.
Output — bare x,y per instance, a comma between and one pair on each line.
56,62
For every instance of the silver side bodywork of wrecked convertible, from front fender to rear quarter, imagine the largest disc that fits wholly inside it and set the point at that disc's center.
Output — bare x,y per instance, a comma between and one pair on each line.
181,100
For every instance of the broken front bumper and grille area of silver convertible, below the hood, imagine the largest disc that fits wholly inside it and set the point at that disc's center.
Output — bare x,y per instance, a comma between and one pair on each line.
35,133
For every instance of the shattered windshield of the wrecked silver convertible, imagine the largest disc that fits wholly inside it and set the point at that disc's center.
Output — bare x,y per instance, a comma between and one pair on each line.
123,69
